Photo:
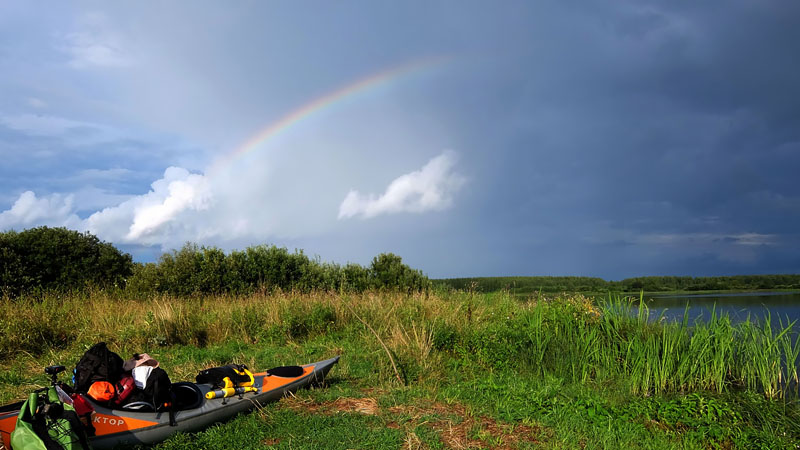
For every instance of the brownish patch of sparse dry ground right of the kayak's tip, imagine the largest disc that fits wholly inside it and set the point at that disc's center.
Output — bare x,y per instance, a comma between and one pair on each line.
456,426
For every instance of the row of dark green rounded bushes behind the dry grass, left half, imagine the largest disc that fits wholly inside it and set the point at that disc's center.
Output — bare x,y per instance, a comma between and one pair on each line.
59,259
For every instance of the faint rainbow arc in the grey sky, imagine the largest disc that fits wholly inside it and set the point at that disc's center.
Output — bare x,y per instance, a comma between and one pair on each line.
311,108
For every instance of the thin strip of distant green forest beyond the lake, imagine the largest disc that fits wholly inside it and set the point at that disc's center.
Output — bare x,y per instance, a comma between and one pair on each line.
524,285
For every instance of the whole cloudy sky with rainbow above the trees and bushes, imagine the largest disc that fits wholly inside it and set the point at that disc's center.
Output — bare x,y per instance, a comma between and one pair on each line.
607,139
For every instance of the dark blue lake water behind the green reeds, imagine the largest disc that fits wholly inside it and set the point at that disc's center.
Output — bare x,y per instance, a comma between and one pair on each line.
783,305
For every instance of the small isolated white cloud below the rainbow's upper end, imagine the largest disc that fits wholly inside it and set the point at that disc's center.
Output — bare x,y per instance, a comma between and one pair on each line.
429,189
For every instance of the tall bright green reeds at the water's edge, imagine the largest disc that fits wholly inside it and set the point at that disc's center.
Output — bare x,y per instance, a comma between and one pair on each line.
713,355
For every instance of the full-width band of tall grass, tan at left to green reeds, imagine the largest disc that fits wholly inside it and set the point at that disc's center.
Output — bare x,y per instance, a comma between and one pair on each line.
566,336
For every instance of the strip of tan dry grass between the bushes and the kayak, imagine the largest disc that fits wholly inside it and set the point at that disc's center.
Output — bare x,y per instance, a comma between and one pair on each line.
133,323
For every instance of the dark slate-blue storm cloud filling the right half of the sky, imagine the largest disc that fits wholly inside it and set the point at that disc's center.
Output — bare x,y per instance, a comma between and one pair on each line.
641,120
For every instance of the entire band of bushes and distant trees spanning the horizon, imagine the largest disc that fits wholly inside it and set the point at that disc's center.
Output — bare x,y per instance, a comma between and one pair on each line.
46,258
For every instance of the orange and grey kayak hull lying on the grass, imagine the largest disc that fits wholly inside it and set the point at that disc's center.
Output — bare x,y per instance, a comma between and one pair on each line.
193,410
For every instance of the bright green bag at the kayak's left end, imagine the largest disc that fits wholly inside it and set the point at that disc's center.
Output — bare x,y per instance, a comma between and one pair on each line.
25,438
